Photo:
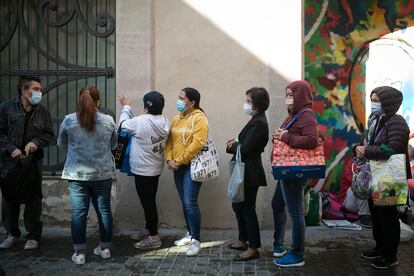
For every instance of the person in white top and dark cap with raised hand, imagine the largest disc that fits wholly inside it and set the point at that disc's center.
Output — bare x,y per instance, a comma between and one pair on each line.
149,135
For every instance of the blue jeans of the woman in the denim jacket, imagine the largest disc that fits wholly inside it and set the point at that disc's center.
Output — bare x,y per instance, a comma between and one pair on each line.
81,193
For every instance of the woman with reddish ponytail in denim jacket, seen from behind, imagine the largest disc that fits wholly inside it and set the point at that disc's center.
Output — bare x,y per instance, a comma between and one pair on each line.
89,137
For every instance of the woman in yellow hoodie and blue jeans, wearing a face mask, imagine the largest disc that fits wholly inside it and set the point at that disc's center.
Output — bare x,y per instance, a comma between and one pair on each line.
188,134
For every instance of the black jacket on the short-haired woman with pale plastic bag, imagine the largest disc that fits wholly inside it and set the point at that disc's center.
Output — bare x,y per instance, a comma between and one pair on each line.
253,139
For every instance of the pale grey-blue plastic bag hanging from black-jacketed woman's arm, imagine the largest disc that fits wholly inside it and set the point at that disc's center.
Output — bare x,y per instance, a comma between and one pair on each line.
235,188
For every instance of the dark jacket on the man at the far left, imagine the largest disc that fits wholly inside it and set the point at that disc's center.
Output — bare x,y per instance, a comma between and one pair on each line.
12,121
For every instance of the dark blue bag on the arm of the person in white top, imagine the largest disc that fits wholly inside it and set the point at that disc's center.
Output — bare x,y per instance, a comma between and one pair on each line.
121,152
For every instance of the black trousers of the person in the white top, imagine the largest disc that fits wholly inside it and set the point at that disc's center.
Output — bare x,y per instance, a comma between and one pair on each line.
147,187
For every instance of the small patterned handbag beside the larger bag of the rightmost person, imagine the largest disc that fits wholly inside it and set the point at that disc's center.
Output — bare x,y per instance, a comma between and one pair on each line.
361,179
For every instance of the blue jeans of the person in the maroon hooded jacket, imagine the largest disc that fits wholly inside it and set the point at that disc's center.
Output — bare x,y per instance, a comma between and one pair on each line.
289,193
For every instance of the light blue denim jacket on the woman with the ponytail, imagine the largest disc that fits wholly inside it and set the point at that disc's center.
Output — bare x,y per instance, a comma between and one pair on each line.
89,156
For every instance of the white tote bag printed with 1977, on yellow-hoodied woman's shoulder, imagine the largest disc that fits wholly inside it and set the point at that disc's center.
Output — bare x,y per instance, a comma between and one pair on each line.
204,166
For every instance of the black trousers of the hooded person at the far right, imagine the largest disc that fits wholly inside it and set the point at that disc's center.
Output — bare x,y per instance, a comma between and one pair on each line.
385,228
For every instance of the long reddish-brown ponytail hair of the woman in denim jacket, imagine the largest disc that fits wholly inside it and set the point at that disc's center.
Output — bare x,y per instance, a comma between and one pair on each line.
86,108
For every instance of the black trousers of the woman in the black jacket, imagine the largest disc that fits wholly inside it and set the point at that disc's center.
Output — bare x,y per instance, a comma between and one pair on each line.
247,218
